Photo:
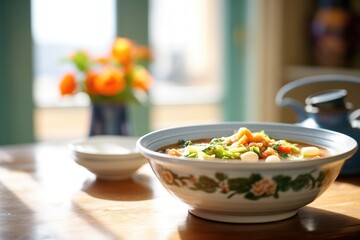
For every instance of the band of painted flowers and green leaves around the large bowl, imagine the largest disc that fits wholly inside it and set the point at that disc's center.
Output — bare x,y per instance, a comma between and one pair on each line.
253,187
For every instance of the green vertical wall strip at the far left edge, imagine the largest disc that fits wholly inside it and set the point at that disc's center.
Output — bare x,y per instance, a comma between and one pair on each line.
16,74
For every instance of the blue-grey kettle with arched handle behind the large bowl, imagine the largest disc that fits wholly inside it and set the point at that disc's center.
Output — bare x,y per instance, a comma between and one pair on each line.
326,109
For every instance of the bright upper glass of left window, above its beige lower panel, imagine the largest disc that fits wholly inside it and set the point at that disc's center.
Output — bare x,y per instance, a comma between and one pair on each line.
59,27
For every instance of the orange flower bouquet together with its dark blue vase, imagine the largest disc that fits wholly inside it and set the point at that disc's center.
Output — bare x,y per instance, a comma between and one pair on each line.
111,82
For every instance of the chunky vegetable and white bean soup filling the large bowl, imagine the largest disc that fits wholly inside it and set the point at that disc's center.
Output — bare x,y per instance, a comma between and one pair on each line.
246,146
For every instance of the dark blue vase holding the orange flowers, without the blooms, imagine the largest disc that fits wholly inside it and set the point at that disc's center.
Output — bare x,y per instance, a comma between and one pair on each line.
109,119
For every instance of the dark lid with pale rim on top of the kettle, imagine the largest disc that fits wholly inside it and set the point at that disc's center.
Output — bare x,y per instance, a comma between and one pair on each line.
327,100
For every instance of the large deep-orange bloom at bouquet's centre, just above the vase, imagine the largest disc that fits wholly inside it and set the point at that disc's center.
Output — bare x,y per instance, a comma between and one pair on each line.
109,82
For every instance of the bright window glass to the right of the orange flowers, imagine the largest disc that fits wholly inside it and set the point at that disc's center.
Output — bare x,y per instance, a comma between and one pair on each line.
185,38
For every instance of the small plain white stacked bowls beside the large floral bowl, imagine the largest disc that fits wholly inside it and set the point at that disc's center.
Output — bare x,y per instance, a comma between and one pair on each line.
109,157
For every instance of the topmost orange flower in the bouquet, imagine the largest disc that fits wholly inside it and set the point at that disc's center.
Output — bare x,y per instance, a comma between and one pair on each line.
122,50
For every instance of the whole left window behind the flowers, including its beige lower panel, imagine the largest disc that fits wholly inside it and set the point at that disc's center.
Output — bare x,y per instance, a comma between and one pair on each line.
59,27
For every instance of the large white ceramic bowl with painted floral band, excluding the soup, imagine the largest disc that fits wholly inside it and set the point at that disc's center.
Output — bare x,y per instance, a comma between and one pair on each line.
224,191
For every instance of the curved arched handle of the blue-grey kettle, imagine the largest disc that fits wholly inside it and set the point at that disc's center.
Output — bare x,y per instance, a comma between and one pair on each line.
281,101
